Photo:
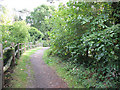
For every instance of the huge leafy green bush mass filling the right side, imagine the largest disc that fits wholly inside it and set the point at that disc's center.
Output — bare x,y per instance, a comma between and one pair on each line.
86,30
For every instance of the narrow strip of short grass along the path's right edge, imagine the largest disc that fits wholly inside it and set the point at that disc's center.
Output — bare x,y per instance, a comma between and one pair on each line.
60,67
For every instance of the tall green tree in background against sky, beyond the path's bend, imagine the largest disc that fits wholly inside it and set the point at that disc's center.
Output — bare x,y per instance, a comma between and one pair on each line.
37,18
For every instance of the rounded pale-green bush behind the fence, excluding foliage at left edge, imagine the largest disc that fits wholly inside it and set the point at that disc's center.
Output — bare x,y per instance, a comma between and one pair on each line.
19,32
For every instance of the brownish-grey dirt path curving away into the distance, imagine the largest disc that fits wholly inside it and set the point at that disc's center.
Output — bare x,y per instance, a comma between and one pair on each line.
44,76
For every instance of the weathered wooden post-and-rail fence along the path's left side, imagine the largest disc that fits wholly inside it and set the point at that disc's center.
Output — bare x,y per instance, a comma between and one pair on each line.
17,50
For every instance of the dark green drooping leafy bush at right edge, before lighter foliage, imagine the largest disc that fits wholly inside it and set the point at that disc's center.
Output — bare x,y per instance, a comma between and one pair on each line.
103,43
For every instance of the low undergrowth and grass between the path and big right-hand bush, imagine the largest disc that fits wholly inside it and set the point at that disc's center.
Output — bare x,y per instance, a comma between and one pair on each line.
78,75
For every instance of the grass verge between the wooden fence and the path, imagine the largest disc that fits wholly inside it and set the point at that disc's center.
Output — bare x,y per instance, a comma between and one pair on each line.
20,73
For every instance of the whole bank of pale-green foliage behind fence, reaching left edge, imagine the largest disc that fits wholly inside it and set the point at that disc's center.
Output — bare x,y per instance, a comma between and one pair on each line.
17,33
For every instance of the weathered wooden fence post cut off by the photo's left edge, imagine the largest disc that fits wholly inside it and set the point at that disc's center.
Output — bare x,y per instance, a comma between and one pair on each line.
1,67
